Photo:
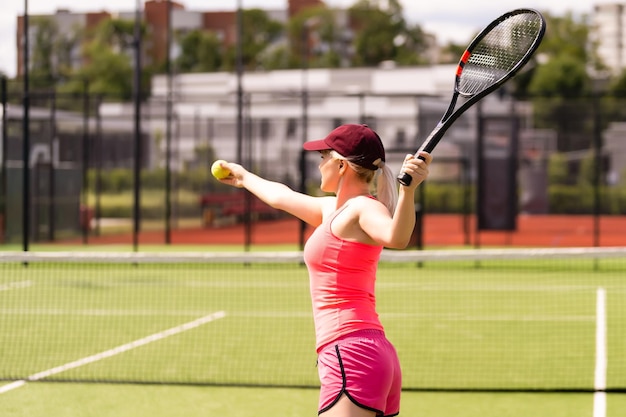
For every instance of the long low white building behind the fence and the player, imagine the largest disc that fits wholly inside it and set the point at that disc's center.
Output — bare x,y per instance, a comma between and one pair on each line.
402,104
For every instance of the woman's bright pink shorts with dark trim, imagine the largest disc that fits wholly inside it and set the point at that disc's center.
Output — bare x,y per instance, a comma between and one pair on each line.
364,366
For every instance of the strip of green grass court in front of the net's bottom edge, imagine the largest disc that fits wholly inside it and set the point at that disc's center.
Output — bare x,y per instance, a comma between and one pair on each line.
105,400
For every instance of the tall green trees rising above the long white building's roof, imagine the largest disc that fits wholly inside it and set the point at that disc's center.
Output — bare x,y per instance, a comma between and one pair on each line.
380,31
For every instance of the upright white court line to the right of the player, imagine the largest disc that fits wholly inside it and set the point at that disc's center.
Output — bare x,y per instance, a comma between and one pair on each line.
599,398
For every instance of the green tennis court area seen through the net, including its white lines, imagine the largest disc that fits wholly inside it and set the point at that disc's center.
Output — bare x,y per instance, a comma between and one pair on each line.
491,326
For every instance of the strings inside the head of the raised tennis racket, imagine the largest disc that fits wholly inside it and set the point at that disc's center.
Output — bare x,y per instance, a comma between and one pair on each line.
499,52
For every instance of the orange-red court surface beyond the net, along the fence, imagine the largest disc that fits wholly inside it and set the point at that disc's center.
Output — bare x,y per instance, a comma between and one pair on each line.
438,231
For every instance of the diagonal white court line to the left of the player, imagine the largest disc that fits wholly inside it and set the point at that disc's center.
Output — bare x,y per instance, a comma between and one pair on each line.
117,350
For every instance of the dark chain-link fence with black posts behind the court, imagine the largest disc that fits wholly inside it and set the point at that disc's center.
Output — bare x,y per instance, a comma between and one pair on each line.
567,157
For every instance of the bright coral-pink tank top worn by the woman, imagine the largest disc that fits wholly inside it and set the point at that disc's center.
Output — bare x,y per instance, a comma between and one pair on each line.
342,278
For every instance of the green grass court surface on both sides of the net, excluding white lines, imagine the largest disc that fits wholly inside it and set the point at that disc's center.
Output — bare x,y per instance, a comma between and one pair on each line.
458,326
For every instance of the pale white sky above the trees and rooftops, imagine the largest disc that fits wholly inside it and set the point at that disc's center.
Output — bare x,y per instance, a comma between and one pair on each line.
450,20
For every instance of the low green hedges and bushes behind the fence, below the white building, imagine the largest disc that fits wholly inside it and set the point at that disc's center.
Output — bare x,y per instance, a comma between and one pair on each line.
449,198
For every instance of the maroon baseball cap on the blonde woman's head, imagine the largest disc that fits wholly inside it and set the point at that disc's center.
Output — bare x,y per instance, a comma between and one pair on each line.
357,143
